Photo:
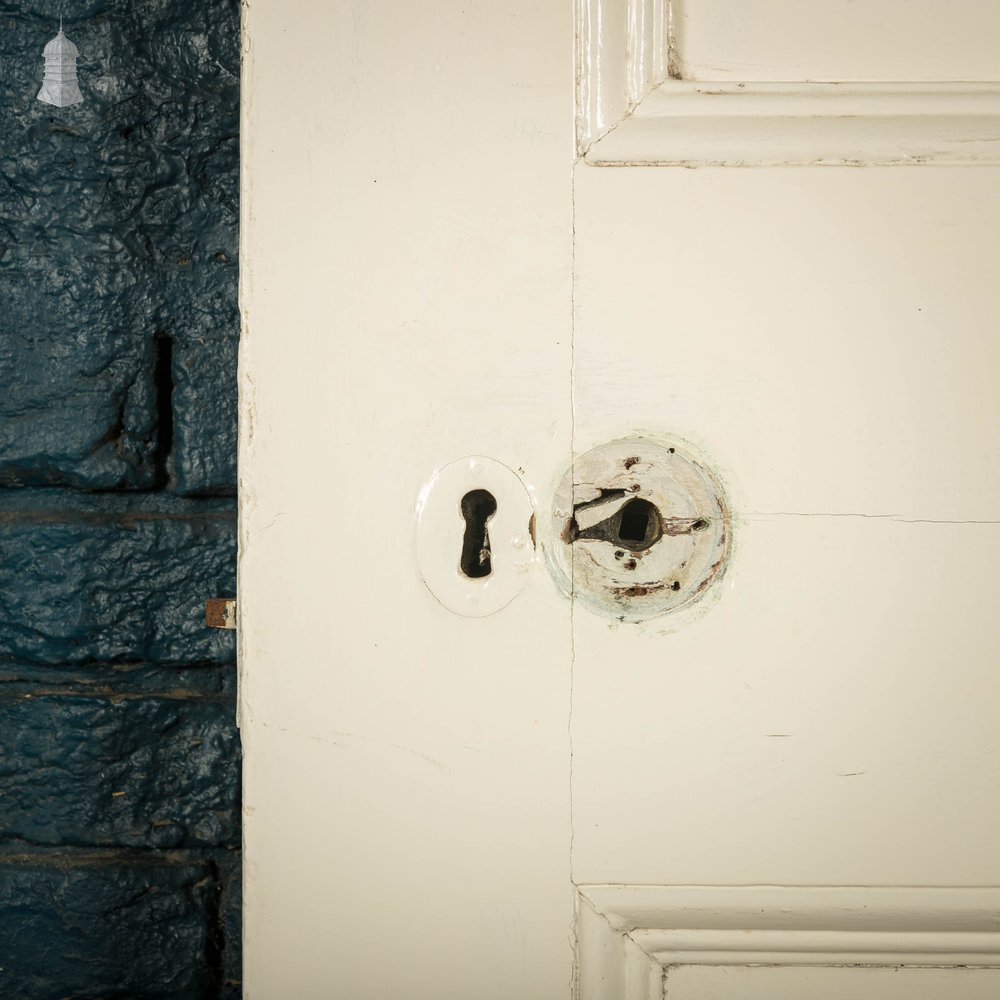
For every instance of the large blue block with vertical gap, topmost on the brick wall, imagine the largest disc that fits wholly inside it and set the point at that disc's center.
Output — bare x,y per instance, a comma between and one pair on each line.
118,223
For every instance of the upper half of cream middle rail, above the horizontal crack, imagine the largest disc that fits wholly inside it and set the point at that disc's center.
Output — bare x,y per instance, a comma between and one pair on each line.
827,335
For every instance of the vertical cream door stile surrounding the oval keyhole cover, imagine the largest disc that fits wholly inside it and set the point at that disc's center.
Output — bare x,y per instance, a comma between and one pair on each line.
406,290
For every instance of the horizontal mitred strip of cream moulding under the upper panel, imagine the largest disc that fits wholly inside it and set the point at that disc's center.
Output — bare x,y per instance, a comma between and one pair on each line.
801,124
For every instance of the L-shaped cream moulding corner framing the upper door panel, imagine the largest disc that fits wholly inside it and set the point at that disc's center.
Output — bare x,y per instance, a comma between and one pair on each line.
633,111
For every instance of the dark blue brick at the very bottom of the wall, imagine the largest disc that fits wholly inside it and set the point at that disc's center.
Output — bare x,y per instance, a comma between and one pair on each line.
115,924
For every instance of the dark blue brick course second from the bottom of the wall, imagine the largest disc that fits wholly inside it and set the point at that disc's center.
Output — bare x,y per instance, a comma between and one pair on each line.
111,767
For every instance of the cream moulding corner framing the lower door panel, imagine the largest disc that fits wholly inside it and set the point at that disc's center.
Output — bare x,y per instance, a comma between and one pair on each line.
629,936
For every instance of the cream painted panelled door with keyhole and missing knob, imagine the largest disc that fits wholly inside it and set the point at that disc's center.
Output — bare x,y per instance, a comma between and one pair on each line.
482,240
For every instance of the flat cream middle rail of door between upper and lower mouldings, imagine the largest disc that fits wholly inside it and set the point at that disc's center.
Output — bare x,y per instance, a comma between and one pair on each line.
828,335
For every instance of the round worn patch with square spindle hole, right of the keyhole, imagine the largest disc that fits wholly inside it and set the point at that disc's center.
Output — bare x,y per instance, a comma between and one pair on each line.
639,529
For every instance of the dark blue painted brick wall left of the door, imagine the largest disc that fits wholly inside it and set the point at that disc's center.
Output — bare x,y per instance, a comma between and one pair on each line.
119,756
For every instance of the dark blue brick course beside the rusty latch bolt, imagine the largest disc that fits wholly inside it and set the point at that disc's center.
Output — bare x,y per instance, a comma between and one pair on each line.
113,578
